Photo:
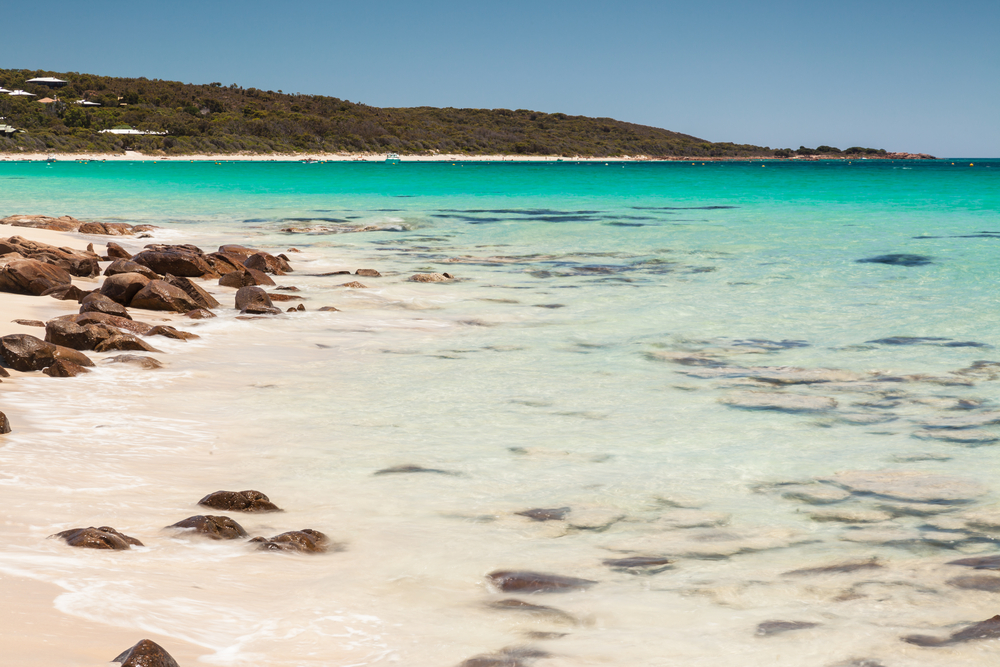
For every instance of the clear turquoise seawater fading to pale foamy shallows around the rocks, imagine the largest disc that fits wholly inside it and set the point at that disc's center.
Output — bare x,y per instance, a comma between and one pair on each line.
546,376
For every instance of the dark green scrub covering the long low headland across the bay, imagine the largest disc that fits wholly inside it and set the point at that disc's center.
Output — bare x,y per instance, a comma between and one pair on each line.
219,119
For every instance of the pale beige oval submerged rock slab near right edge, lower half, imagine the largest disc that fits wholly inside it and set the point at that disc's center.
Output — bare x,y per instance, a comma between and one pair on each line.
909,485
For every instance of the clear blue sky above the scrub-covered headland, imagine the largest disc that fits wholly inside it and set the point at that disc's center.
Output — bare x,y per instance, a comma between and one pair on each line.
921,76
